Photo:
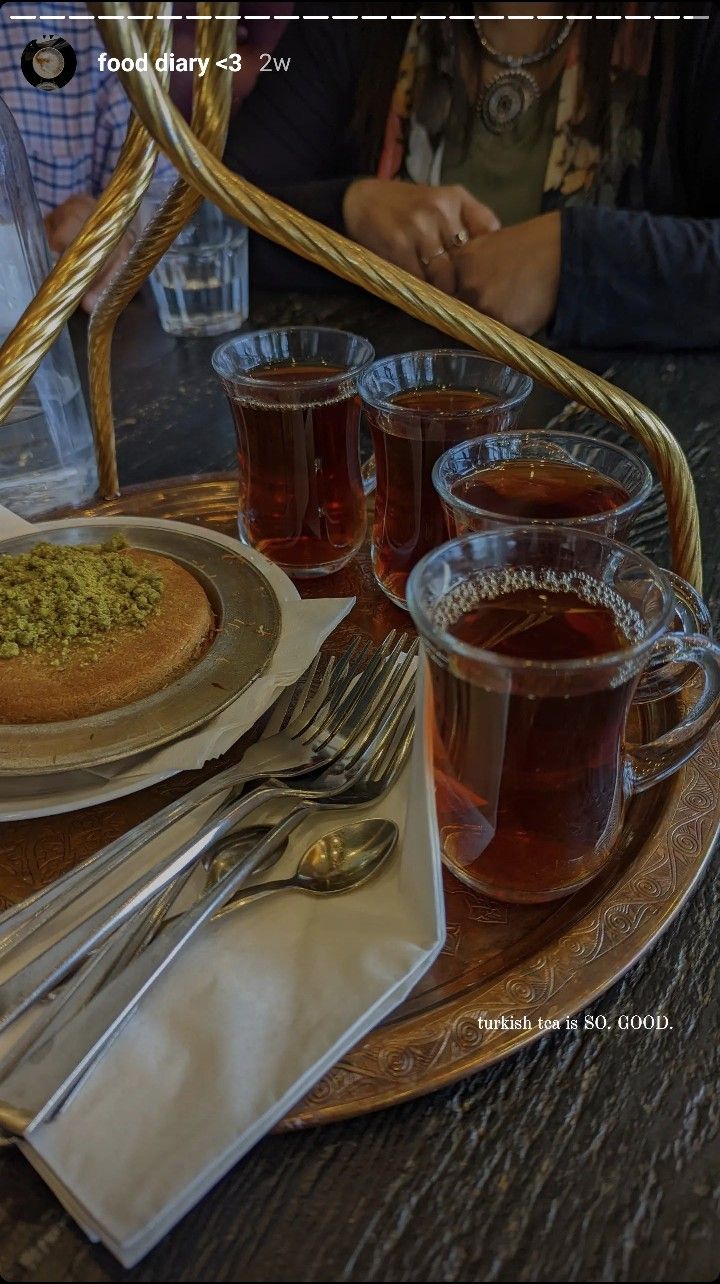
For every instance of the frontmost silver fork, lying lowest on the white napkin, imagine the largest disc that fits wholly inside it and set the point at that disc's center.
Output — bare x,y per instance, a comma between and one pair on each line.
48,1074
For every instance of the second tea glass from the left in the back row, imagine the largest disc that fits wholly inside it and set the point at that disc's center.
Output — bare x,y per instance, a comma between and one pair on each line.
418,405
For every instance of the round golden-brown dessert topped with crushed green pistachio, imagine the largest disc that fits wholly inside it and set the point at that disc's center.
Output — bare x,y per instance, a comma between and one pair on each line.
90,629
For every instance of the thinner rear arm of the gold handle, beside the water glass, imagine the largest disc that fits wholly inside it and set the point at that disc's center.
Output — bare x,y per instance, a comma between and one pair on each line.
211,115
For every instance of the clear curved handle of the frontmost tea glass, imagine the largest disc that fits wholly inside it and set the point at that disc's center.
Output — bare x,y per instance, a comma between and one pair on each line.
647,765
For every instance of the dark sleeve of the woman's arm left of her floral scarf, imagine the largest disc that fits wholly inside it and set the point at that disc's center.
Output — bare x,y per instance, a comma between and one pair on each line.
292,138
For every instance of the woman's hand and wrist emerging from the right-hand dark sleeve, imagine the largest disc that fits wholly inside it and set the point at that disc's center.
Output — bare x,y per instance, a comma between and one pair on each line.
513,275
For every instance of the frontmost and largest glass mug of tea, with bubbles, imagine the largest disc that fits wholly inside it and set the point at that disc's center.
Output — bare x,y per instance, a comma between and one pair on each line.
537,639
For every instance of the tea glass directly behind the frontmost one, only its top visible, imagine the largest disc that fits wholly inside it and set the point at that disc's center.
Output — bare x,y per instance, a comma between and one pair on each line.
518,478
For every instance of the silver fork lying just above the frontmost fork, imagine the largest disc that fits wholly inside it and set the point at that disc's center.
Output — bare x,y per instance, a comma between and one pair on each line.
351,777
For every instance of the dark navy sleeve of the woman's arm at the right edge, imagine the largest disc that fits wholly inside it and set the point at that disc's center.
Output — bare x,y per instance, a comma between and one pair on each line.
653,281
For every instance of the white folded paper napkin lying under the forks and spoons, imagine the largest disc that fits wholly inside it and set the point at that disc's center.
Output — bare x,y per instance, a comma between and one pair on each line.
255,1011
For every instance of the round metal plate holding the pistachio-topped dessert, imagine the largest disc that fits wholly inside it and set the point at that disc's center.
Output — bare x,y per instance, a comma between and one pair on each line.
248,627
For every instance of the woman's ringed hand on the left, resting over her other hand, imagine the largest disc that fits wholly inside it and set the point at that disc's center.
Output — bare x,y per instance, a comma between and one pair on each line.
414,225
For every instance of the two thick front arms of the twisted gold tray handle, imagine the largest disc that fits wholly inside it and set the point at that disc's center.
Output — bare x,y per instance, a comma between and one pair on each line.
329,250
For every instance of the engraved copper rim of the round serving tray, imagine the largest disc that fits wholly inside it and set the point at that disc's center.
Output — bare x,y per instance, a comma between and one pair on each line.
413,1056
